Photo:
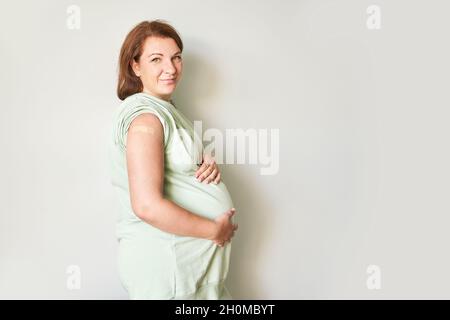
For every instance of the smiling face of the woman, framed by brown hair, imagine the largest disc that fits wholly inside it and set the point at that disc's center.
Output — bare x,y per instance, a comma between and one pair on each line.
160,60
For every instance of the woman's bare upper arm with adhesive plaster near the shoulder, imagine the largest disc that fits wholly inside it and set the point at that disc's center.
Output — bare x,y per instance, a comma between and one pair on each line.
145,163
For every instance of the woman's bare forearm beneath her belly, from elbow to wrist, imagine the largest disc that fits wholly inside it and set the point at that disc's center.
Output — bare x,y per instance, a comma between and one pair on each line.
169,217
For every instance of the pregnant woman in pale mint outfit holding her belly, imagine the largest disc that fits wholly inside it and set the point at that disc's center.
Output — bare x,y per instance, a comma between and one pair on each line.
174,230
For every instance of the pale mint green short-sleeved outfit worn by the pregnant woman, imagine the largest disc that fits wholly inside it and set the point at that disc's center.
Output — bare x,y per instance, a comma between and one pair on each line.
154,264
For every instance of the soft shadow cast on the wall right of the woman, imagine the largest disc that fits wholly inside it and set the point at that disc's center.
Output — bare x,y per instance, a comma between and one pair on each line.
201,86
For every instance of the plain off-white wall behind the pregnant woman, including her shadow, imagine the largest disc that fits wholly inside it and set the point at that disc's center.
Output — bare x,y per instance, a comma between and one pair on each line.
363,118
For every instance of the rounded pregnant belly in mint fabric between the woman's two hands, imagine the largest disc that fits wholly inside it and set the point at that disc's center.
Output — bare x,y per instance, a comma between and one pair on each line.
207,200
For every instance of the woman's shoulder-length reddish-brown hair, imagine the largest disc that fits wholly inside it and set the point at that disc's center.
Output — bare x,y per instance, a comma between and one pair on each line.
132,48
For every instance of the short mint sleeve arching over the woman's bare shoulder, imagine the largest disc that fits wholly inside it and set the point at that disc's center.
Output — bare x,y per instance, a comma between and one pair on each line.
126,114
